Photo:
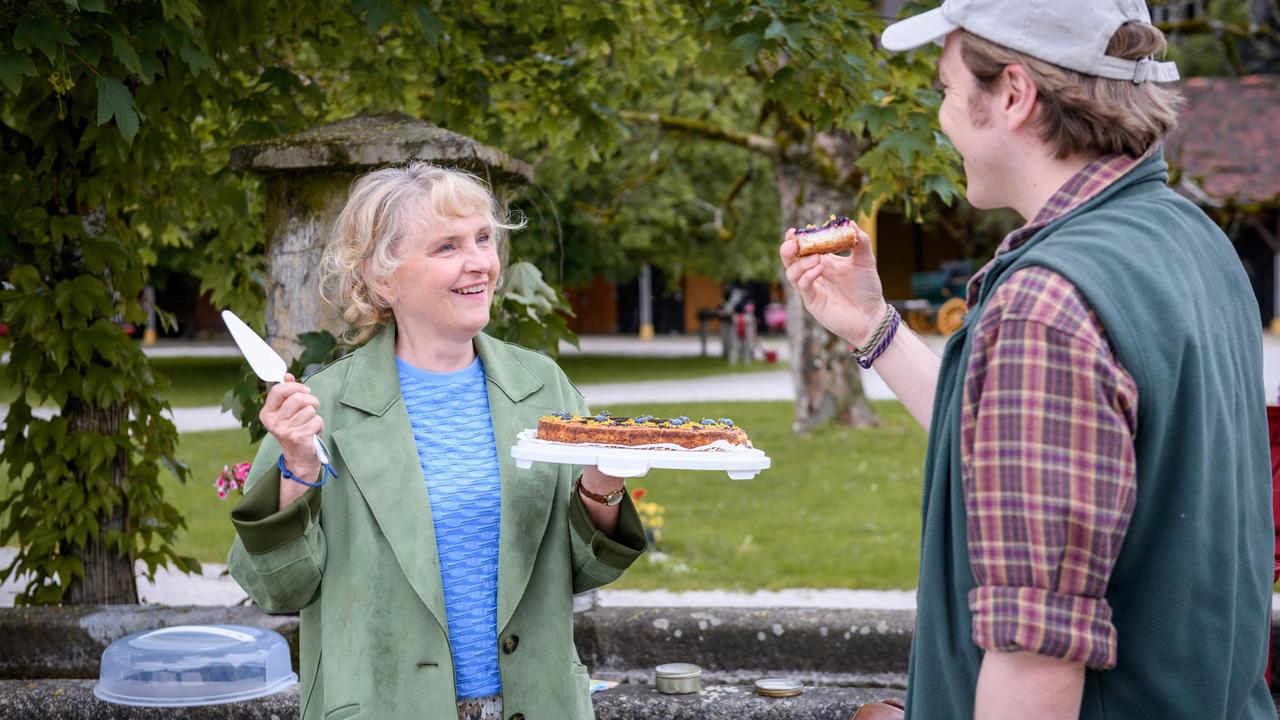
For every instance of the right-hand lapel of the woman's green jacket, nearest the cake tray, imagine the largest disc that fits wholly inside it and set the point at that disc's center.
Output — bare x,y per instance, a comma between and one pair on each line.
527,495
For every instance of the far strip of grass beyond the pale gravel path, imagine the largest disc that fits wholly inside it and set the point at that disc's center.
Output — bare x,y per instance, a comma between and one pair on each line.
204,381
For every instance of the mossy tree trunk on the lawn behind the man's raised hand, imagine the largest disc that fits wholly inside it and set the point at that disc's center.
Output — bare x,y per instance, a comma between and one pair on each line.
826,377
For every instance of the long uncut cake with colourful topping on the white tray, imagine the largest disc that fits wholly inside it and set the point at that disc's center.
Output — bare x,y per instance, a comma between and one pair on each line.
605,429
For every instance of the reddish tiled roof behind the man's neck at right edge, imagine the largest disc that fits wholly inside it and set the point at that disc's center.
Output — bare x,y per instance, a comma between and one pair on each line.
1228,143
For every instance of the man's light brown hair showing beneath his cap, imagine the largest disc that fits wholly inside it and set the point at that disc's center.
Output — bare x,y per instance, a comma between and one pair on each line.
1078,113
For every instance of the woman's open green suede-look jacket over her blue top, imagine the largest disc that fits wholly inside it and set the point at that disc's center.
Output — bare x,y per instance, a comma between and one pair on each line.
365,575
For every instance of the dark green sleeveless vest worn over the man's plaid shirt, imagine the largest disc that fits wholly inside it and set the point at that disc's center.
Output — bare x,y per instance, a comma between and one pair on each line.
1191,591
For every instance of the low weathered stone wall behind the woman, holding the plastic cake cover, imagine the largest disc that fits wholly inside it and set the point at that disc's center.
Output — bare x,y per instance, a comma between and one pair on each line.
845,658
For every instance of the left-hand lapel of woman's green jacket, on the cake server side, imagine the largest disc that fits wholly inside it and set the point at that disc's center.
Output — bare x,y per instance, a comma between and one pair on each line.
382,459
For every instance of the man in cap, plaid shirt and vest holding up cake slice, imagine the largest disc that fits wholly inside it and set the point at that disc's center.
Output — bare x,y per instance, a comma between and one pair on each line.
1098,532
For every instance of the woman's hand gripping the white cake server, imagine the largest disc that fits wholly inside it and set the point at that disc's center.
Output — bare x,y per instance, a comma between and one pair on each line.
290,414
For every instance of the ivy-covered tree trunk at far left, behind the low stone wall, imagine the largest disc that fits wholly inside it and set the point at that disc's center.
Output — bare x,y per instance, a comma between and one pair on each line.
108,576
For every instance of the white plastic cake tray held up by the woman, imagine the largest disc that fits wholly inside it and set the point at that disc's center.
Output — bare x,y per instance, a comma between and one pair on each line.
634,463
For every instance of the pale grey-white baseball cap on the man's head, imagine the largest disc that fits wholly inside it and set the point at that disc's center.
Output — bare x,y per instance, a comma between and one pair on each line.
1069,34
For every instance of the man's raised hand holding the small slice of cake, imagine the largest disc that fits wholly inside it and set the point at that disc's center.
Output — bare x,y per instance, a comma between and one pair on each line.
844,294
